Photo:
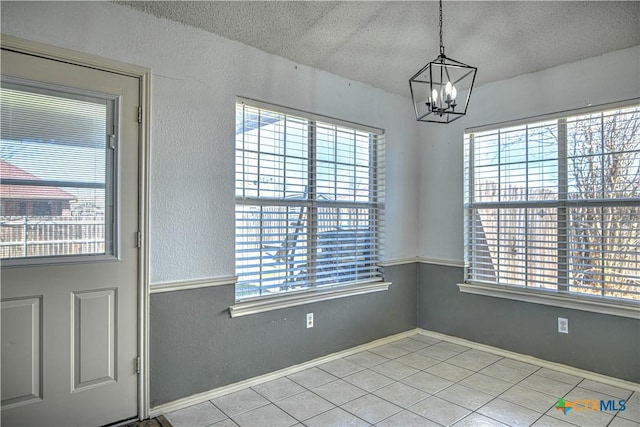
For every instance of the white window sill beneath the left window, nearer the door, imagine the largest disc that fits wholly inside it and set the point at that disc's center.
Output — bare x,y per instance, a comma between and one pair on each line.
306,297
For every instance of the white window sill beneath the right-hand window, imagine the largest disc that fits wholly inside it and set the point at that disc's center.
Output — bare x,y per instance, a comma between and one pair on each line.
630,310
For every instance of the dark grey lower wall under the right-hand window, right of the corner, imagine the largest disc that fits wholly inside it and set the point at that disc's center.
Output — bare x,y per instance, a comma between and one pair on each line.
609,345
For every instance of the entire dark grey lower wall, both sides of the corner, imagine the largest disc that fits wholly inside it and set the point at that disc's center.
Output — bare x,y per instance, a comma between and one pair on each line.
196,346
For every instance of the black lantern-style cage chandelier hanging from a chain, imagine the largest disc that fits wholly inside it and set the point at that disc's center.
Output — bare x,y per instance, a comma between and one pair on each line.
441,89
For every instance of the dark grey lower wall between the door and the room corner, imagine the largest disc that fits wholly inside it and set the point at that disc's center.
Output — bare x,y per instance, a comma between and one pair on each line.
196,346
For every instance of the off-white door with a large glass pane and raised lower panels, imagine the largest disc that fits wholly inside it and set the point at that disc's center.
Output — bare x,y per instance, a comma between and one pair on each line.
69,170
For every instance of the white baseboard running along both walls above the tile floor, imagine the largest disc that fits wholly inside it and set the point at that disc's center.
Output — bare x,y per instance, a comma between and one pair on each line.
221,391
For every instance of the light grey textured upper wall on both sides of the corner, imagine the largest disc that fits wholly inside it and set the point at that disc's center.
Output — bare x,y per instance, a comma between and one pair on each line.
196,77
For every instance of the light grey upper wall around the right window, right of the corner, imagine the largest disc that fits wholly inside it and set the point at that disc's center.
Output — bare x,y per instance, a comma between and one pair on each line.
602,79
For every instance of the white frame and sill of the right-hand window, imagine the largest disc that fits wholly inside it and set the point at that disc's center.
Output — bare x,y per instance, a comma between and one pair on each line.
560,297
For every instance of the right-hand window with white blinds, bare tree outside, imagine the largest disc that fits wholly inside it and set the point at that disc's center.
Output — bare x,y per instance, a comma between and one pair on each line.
555,205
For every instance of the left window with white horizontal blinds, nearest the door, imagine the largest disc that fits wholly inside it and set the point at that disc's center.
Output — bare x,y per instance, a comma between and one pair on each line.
309,202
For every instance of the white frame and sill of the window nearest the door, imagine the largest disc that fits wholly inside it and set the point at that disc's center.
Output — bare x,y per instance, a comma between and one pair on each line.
312,205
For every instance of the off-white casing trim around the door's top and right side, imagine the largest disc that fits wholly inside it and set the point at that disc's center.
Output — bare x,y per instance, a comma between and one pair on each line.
143,74
